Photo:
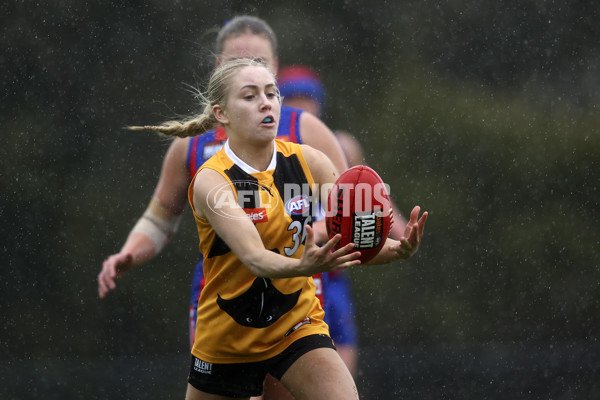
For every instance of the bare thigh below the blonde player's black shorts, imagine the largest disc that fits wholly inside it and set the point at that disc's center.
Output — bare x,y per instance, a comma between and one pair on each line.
320,374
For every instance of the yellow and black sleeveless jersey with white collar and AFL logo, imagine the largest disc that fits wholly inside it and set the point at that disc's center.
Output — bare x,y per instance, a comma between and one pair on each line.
242,317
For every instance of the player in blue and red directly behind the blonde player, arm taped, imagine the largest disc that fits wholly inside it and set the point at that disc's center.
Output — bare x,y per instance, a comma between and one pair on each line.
243,36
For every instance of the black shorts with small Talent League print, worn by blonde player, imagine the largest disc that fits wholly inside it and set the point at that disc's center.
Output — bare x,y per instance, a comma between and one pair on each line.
245,380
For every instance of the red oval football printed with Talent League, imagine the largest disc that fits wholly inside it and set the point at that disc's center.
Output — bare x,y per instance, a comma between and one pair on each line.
359,208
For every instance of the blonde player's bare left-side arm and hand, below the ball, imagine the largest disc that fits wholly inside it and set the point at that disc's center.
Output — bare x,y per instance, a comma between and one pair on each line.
233,226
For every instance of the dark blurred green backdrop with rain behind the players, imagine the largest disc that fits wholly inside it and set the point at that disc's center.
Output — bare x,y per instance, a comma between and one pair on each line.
485,113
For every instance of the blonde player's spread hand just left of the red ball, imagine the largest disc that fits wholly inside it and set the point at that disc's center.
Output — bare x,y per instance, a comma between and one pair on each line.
317,259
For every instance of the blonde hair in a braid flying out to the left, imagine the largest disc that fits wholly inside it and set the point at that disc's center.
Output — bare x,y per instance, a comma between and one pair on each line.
216,94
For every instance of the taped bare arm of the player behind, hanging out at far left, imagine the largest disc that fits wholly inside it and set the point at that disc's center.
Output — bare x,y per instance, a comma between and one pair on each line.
158,223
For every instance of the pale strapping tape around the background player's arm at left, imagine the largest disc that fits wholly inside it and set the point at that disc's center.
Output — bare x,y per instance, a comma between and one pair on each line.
158,223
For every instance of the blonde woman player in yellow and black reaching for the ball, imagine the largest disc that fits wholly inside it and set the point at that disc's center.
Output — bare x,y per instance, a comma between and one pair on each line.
258,312
